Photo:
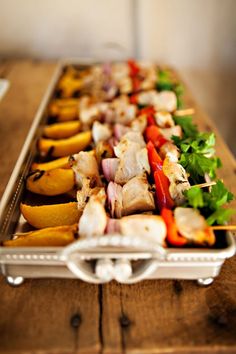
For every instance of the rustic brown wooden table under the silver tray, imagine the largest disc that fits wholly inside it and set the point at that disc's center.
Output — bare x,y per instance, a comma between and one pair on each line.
69,316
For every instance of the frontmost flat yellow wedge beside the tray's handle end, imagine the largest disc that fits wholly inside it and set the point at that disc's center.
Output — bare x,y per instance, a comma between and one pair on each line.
49,237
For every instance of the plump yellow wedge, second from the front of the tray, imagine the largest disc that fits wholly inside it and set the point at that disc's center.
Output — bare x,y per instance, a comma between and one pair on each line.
51,215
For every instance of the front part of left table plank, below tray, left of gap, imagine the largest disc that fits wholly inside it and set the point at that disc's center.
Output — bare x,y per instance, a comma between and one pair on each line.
56,316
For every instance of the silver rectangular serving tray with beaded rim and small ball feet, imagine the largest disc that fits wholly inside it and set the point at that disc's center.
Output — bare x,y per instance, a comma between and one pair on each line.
101,259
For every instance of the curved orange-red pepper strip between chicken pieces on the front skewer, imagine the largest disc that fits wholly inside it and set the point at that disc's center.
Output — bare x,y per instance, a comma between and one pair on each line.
173,237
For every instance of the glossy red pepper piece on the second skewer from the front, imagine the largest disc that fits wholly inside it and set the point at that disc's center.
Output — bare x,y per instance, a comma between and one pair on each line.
164,199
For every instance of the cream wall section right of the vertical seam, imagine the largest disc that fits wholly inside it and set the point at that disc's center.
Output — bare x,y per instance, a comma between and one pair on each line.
197,34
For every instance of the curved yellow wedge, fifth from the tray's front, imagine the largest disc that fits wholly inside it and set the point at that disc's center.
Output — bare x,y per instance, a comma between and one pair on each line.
64,147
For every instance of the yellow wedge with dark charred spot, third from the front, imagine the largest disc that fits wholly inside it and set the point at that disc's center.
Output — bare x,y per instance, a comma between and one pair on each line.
52,182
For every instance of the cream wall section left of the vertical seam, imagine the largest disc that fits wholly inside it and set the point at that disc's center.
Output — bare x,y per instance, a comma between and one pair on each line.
63,28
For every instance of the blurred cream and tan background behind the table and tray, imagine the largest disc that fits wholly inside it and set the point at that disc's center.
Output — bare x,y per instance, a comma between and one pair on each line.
198,37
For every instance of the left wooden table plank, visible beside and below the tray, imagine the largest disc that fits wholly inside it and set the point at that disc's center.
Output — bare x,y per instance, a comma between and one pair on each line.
46,316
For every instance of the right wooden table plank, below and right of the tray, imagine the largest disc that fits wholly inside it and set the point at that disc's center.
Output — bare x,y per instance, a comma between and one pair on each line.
165,316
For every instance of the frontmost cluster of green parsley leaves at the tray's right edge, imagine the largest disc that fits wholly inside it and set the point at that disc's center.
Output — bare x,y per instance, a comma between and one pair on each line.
210,203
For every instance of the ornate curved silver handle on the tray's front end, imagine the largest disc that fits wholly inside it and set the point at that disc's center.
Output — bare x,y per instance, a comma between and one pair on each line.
106,269
